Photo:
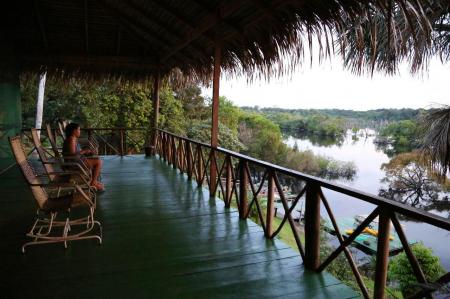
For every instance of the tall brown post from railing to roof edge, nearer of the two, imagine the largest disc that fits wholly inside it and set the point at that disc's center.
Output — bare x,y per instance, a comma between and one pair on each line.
215,114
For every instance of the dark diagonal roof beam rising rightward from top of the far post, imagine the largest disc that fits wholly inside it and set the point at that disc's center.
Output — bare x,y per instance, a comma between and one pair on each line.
205,24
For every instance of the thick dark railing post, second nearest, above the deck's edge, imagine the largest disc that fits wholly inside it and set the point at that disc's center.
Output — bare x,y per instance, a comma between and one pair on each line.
312,226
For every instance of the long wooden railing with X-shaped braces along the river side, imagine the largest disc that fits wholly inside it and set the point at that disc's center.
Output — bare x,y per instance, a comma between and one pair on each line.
235,181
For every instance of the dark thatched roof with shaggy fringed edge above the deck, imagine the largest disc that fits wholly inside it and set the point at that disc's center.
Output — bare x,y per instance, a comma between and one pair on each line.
138,37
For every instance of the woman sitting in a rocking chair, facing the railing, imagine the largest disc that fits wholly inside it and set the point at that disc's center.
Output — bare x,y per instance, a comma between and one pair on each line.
71,147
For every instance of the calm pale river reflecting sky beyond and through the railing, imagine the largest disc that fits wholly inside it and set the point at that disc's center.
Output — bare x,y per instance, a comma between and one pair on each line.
368,160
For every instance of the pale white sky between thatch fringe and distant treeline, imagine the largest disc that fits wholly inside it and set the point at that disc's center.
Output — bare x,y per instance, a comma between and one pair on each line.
329,86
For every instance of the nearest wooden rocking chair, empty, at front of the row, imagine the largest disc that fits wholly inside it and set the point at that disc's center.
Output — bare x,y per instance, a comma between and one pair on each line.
48,226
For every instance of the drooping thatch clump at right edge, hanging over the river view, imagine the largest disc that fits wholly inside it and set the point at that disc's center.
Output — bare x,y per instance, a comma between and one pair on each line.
436,142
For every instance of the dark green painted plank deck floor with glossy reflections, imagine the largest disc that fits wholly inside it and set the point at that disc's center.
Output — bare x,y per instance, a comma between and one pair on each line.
163,237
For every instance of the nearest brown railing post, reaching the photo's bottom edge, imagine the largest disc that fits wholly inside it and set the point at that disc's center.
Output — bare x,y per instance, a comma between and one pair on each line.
381,266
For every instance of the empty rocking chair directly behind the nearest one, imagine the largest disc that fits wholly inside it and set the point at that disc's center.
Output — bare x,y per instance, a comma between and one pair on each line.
58,170
